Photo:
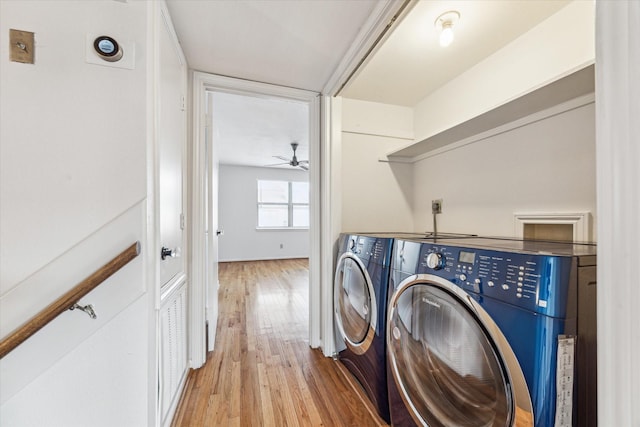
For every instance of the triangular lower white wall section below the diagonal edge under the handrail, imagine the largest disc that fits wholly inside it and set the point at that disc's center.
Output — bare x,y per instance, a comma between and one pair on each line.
93,384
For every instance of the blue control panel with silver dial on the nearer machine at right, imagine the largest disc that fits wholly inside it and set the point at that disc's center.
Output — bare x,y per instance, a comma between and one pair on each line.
537,282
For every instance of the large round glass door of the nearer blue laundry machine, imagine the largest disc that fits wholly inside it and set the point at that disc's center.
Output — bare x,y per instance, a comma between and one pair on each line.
450,362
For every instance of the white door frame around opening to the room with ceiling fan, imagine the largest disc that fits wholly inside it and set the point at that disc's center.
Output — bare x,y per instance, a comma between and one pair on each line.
203,83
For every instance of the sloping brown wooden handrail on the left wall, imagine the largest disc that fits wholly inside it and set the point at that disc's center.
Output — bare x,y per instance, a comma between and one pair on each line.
66,301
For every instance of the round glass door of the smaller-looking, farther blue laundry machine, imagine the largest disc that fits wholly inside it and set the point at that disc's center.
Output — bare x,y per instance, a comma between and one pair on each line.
354,303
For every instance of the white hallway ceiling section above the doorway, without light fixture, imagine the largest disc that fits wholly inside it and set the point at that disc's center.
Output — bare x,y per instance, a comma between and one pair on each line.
290,43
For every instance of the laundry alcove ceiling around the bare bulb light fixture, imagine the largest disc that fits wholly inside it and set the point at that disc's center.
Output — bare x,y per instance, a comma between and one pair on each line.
411,64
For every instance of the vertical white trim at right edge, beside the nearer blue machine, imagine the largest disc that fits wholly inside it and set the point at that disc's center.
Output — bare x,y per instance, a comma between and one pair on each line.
618,202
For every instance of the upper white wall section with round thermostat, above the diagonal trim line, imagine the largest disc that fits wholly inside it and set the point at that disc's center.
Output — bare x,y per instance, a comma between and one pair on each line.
84,161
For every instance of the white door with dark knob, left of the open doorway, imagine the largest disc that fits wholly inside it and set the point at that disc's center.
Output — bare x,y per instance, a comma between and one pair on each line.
171,140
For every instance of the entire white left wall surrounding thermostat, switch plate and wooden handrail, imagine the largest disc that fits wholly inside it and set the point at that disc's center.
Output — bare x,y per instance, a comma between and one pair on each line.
73,147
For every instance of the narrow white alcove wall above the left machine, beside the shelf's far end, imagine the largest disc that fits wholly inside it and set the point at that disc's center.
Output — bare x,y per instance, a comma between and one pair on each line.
376,196
